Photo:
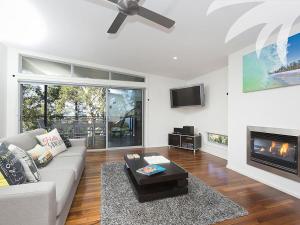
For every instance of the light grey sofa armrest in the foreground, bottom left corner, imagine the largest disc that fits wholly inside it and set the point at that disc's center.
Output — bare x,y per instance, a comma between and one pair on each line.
28,204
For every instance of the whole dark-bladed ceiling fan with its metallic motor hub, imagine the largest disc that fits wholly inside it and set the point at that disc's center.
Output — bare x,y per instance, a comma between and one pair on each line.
130,8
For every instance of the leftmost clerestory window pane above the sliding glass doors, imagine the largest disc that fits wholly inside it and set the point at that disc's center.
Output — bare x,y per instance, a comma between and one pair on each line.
44,67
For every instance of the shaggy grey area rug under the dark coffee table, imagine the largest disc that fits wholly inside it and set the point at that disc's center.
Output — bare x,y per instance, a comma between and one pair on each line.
201,206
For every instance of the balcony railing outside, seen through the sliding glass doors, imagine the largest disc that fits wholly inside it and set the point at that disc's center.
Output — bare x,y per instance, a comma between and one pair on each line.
91,128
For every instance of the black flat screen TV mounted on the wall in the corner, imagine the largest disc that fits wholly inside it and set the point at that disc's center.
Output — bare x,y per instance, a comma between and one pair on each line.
188,96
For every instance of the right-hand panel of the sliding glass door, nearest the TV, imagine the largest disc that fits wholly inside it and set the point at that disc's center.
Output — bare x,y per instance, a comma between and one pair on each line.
125,117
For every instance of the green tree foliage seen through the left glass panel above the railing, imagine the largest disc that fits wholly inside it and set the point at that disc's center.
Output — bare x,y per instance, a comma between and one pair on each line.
62,101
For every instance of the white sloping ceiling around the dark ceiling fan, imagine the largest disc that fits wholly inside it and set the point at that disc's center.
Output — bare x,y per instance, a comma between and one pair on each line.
77,29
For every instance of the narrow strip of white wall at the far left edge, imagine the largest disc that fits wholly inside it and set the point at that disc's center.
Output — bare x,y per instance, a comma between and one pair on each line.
2,90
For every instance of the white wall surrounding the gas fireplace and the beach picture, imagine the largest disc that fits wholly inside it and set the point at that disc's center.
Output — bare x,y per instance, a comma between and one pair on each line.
277,108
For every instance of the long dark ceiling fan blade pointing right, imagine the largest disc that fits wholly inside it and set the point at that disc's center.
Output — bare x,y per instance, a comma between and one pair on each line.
155,17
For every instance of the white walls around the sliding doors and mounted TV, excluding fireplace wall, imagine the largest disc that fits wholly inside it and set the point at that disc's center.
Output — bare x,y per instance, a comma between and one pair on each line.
160,119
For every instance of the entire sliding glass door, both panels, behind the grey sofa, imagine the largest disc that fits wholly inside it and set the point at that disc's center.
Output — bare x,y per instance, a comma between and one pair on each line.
108,118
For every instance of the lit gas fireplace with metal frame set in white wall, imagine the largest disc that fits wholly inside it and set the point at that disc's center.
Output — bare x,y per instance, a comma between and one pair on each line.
274,150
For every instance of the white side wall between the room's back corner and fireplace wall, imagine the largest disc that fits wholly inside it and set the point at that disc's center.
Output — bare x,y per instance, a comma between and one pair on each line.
213,117
